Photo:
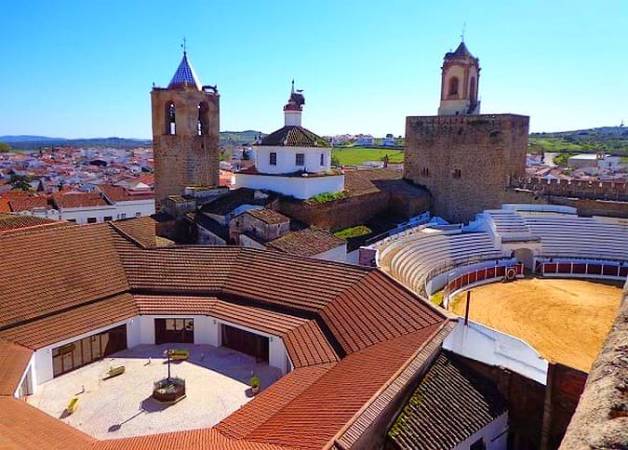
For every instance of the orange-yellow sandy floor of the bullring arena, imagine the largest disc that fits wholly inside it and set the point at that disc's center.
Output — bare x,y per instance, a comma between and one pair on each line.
566,321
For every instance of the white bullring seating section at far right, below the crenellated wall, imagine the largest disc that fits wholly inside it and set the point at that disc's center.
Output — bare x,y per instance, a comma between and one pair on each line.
570,236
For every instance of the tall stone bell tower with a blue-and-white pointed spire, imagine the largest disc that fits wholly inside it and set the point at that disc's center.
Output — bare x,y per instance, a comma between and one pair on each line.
186,126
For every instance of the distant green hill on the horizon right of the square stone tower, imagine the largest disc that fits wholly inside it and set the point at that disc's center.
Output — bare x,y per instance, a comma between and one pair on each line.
612,140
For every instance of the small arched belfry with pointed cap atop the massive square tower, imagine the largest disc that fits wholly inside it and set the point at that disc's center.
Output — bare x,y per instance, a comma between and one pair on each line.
459,83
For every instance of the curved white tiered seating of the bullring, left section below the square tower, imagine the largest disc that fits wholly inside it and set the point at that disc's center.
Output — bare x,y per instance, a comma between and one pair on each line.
416,258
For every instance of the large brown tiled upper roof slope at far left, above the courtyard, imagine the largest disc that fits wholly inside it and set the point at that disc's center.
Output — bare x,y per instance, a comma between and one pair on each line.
52,269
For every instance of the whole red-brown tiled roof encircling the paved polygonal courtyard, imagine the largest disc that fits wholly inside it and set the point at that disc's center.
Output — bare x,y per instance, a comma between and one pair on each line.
348,330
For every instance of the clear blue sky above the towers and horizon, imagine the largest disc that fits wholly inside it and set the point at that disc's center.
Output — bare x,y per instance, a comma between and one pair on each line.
85,68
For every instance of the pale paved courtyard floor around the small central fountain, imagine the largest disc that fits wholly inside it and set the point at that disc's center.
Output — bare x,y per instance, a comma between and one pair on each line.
216,384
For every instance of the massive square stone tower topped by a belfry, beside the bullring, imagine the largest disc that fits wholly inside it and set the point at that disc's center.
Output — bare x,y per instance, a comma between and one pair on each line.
466,160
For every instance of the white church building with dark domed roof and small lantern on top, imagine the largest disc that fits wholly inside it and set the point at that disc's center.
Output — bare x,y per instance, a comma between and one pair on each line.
292,161
